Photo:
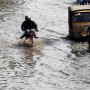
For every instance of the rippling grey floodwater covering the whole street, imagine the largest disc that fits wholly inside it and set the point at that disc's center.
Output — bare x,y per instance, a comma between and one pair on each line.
54,63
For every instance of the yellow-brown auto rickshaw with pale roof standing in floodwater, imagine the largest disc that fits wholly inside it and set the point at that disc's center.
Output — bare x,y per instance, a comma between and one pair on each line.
78,20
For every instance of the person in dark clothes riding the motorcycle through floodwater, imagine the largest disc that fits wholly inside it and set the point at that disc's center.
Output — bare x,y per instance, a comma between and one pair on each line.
28,24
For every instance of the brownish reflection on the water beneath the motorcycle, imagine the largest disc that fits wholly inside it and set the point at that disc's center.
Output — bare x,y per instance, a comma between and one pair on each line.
32,54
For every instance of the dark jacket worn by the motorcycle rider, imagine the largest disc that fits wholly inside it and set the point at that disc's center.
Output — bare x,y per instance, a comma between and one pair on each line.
29,24
